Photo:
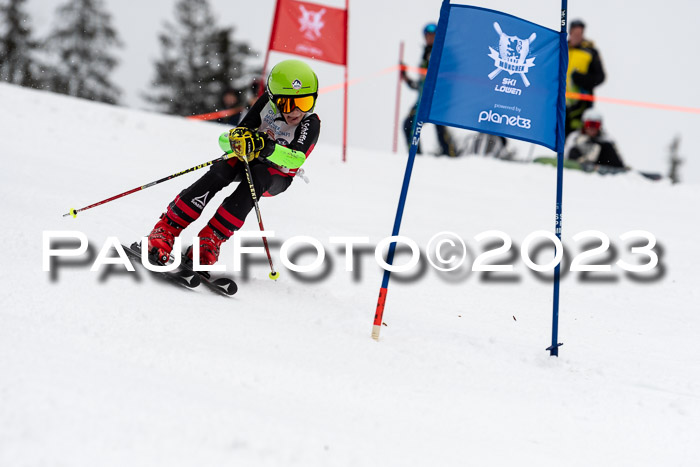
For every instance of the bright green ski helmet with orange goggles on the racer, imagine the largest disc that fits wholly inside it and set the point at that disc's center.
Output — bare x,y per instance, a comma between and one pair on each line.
290,84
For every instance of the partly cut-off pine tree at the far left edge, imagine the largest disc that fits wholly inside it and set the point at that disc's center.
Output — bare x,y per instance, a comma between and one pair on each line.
17,64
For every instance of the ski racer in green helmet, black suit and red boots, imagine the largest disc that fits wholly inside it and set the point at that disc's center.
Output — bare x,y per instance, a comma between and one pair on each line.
276,136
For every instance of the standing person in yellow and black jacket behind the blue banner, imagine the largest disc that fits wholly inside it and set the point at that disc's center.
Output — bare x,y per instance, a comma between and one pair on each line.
584,74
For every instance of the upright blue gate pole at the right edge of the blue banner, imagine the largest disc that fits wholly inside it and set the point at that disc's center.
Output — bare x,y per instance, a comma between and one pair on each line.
561,134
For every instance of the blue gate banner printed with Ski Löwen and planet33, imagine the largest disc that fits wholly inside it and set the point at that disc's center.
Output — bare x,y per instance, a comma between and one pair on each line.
494,73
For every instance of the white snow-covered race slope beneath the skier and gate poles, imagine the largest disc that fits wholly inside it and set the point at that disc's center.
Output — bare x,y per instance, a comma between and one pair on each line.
113,368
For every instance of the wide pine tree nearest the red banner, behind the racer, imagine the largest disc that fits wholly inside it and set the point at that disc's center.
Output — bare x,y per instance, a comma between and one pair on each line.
199,61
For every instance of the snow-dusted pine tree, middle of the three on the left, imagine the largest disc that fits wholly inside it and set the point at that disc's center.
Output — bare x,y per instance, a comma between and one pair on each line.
82,41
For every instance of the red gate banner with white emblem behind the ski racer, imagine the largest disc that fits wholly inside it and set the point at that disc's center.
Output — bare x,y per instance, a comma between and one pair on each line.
310,30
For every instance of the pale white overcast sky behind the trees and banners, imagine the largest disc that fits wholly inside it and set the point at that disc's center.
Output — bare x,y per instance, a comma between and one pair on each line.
647,49
